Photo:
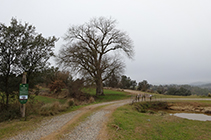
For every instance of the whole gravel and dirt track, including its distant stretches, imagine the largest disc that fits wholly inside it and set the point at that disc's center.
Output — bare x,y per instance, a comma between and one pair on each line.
92,128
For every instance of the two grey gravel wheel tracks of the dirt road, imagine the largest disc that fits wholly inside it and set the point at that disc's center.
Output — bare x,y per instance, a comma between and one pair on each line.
93,125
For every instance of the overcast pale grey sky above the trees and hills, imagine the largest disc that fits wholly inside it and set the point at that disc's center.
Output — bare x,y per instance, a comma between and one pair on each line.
172,38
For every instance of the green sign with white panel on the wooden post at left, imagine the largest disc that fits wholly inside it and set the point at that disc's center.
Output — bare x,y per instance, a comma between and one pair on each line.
23,93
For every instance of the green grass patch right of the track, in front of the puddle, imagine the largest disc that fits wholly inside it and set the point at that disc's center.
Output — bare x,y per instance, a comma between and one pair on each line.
127,123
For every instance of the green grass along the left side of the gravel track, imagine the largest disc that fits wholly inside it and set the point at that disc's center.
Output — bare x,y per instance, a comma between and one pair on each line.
13,127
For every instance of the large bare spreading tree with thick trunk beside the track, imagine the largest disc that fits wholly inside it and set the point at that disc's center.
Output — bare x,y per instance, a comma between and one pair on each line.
94,48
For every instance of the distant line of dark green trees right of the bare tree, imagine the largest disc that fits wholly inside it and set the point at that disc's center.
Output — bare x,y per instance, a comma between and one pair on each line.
124,82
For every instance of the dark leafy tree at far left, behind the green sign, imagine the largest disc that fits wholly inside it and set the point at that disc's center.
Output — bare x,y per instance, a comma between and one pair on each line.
22,50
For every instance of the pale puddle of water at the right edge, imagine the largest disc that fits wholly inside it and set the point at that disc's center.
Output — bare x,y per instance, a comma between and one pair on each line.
193,116
